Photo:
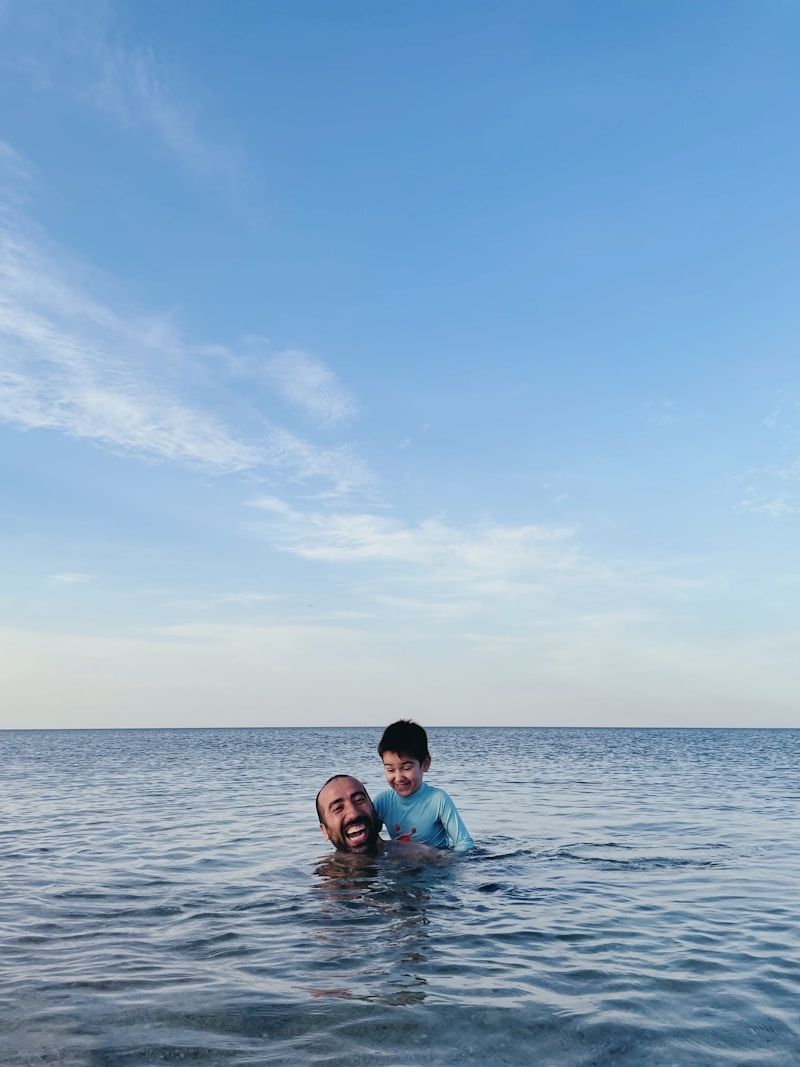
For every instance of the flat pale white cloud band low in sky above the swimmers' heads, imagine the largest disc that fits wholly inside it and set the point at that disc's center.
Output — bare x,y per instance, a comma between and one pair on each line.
506,579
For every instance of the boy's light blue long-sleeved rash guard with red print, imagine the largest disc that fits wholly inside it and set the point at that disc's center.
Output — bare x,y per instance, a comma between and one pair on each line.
428,817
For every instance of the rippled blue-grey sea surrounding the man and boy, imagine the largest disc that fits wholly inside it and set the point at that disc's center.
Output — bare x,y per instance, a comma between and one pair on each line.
634,902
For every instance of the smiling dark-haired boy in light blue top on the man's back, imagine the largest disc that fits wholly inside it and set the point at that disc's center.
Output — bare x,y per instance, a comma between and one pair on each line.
412,810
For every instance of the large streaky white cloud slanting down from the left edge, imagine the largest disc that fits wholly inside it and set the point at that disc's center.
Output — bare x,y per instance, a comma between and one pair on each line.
74,364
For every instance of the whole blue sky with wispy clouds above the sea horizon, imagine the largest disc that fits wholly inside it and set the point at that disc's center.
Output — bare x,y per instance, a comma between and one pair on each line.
378,359
